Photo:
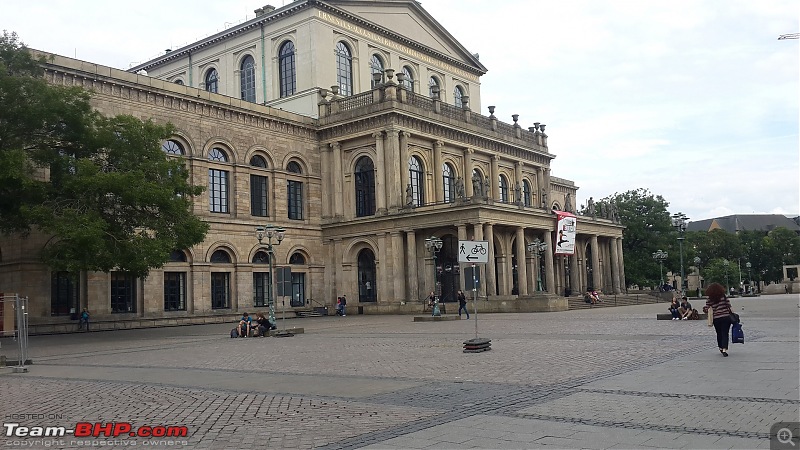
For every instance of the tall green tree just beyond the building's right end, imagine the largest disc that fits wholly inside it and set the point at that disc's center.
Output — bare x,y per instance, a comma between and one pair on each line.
648,228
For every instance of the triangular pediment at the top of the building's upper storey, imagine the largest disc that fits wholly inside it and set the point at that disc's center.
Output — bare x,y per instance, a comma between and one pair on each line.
409,20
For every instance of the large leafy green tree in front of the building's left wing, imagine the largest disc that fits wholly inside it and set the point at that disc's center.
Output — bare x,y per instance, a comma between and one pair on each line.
100,186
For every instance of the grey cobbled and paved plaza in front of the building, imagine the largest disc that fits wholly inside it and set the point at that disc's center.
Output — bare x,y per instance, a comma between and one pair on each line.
601,378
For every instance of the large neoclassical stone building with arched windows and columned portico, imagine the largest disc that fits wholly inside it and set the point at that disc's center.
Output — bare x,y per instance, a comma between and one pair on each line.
358,181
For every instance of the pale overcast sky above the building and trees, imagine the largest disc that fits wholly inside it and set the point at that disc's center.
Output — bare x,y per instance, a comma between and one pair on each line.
695,100
